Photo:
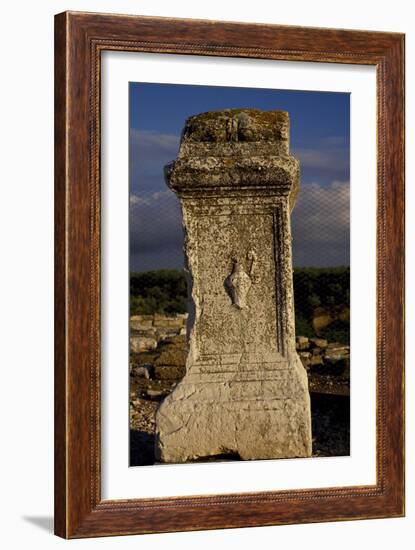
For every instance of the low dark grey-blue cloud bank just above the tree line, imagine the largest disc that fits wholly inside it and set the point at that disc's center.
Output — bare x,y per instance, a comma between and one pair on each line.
320,225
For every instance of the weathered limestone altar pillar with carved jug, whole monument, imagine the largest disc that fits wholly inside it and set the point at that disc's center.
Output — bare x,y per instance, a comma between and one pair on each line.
245,391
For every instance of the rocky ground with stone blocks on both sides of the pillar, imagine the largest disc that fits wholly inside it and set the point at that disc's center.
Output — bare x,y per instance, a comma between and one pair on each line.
157,364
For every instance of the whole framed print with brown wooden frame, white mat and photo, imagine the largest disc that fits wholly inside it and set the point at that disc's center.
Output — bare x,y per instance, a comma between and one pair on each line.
229,275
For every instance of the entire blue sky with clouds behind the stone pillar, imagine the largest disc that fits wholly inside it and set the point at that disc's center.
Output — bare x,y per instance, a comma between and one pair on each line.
320,139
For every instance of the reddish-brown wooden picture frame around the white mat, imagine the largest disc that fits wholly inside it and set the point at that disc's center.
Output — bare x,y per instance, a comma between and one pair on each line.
79,40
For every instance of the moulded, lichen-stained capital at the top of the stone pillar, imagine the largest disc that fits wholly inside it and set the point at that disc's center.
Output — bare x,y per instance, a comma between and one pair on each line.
235,151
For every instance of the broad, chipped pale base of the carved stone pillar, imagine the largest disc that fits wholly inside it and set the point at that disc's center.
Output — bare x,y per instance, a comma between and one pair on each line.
254,411
